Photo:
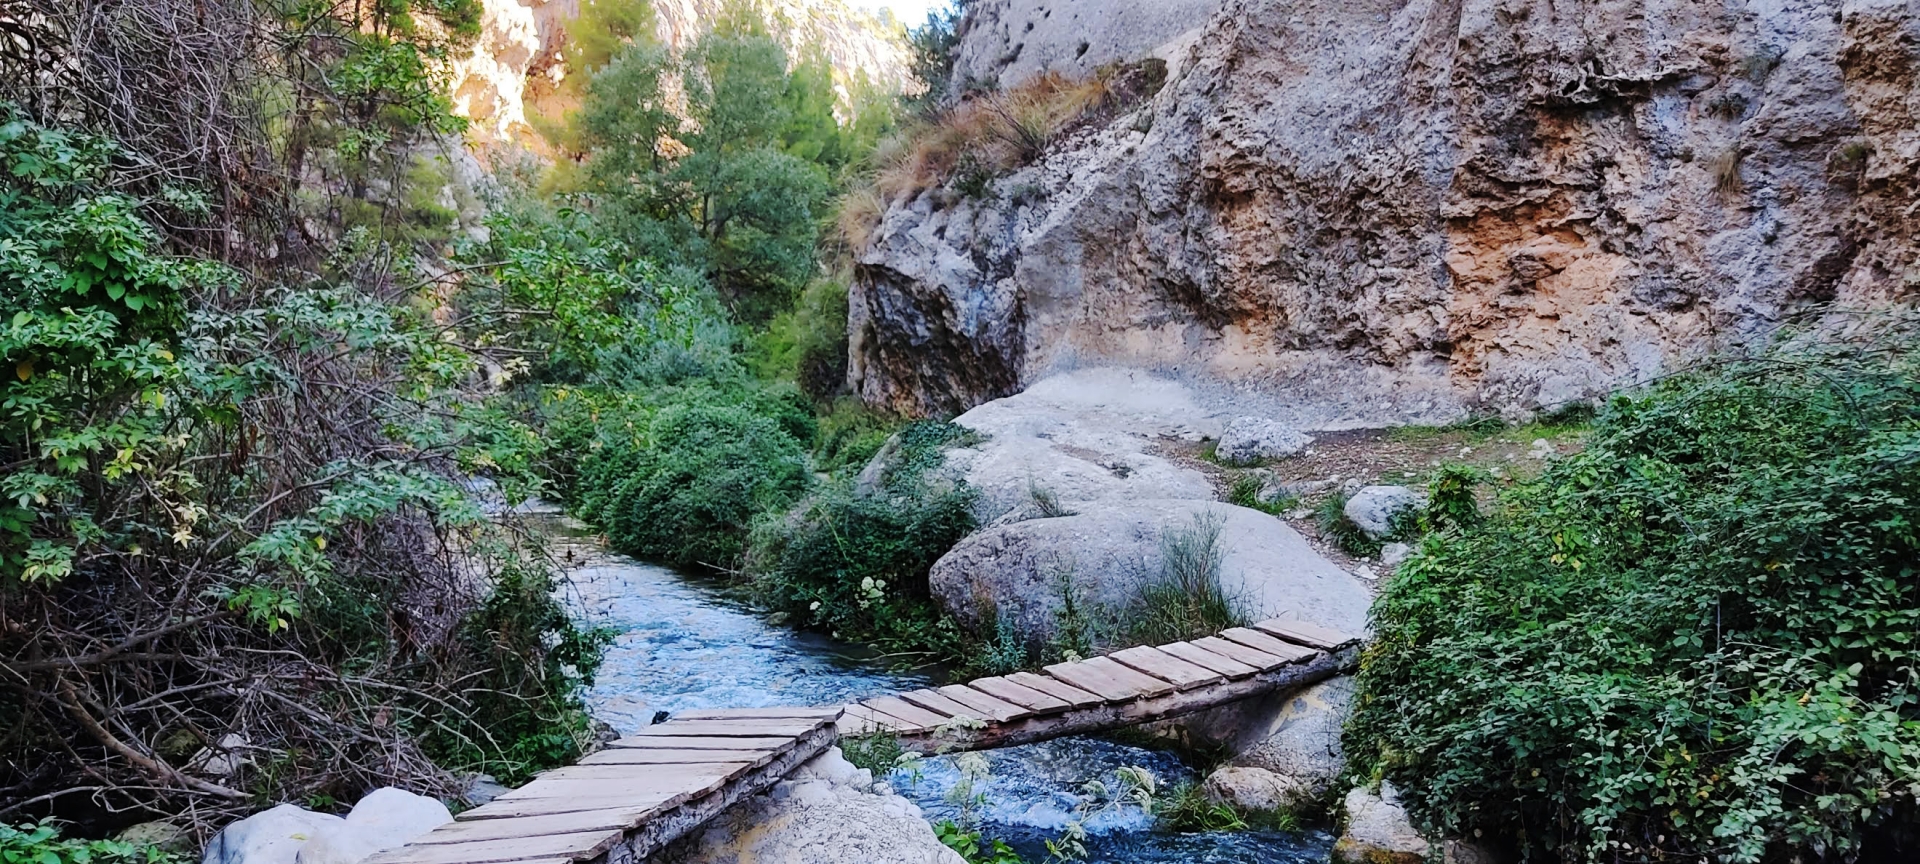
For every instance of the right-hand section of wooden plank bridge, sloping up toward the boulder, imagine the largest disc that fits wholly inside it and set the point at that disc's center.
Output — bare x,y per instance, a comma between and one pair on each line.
1126,688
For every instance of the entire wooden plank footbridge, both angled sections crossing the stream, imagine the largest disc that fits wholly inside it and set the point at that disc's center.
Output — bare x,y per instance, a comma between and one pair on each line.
648,790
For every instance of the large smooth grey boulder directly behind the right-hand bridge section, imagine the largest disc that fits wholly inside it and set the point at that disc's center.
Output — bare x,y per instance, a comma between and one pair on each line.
1109,550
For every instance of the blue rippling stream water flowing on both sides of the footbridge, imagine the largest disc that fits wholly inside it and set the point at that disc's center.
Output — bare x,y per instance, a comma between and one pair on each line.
684,644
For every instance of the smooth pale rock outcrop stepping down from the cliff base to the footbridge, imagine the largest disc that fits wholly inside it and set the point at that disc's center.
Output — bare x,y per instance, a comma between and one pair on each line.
1080,489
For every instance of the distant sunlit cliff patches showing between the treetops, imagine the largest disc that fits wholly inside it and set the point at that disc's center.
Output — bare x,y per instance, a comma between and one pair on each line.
517,66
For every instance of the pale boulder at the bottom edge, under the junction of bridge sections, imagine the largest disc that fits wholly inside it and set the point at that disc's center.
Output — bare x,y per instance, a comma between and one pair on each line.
825,813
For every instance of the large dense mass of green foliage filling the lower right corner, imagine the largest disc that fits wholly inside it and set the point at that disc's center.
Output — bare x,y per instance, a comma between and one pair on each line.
1691,640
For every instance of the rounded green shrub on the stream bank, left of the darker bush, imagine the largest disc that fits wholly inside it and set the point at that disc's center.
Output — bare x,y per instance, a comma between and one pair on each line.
683,483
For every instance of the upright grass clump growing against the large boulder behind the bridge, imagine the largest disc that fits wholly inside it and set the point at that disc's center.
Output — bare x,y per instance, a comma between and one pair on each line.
1188,600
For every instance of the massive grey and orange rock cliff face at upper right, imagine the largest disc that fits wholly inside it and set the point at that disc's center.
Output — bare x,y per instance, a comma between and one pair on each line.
1389,212
